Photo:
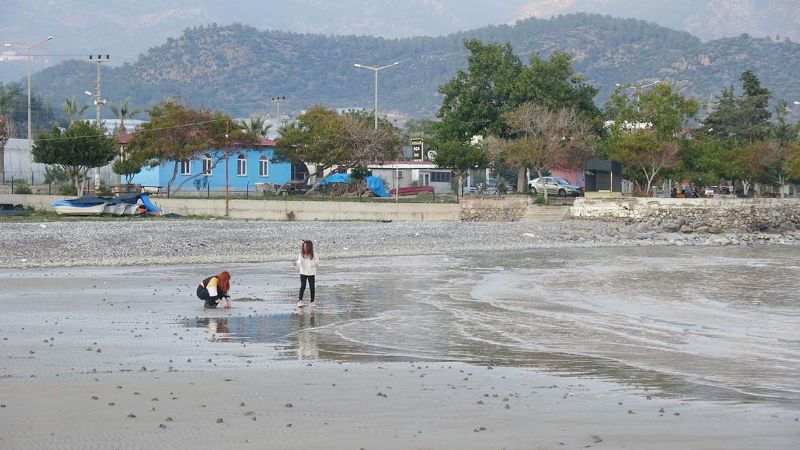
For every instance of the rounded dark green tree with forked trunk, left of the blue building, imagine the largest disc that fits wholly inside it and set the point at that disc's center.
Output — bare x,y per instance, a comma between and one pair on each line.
81,147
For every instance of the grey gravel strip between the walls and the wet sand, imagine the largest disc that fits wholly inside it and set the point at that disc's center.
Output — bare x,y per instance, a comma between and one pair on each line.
116,243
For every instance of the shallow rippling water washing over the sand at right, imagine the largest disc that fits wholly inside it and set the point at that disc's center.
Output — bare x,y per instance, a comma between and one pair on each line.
709,323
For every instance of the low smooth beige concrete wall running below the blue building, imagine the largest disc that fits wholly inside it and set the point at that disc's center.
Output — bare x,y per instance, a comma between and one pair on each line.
281,209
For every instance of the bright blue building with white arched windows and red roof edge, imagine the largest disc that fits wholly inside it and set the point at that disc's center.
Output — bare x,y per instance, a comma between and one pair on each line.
248,170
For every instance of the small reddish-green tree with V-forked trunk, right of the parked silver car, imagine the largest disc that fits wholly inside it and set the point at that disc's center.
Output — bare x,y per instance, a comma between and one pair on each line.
647,151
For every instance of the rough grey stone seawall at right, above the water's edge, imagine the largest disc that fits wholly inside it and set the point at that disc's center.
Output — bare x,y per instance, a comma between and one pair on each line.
713,215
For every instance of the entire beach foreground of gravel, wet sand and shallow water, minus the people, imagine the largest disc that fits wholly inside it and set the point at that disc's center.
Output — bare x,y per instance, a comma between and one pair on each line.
425,336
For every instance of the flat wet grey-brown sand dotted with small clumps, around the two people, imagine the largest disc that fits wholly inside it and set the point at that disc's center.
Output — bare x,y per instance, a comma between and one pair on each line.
125,357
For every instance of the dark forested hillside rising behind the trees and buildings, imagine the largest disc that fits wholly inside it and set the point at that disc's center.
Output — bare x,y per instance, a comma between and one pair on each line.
239,69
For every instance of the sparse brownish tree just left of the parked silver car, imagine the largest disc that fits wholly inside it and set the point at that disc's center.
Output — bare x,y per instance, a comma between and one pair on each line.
546,138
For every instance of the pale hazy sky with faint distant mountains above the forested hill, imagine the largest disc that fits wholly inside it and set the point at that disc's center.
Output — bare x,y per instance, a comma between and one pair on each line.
126,28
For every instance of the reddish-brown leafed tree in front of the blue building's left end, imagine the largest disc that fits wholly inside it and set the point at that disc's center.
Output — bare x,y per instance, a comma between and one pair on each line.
176,132
